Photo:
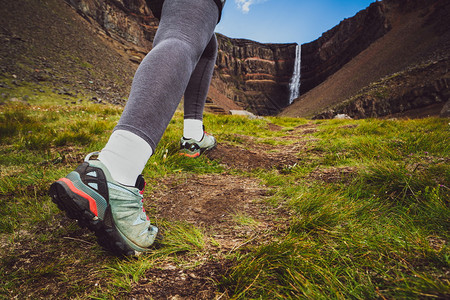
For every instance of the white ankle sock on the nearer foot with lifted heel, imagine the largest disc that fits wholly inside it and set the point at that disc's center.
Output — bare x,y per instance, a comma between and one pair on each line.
125,156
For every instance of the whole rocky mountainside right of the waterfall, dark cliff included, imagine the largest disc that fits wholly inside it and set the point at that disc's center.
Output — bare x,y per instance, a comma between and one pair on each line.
403,70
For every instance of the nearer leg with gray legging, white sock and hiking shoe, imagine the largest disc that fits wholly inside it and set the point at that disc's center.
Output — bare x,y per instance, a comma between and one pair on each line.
92,194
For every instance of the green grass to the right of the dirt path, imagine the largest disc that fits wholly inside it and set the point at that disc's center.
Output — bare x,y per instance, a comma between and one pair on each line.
372,238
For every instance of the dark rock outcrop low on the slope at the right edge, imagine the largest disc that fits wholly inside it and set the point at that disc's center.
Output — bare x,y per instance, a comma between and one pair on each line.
421,91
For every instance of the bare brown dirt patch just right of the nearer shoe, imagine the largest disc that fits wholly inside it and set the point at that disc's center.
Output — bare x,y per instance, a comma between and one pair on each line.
215,202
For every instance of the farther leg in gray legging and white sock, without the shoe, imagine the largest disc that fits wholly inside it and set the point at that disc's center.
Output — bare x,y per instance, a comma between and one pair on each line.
197,90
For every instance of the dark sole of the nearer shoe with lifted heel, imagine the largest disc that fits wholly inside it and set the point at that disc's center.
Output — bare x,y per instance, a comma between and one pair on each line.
78,208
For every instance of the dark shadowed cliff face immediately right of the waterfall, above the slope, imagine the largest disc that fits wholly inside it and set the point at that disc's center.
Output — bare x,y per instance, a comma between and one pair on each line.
336,47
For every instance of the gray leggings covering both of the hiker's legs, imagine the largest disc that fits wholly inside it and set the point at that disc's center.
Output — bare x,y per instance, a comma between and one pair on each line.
181,62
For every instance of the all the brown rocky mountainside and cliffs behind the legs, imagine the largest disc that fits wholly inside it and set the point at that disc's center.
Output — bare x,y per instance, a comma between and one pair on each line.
391,58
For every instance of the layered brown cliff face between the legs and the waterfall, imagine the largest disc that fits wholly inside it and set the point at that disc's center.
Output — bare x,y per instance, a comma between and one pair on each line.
256,76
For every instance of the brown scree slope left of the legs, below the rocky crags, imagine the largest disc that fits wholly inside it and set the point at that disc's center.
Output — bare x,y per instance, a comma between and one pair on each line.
46,43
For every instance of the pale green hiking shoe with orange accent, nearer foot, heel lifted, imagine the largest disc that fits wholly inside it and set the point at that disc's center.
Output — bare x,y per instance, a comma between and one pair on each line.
113,211
